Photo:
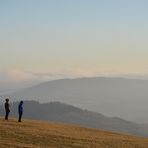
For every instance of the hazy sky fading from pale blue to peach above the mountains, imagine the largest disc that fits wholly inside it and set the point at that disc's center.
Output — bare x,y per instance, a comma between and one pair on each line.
53,38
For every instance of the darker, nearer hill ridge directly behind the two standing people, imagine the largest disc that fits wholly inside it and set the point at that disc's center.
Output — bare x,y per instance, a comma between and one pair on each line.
60,112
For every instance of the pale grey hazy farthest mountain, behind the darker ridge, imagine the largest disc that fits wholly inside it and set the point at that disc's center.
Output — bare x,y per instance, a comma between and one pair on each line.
125,98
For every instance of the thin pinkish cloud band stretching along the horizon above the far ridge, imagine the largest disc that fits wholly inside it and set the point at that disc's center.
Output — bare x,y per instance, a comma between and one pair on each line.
22,76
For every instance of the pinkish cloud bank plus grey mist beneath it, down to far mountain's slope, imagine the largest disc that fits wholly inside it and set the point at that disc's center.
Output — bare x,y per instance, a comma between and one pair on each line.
17,79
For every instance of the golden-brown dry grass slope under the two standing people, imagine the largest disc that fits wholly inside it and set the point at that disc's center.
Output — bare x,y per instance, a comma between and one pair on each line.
37,134
